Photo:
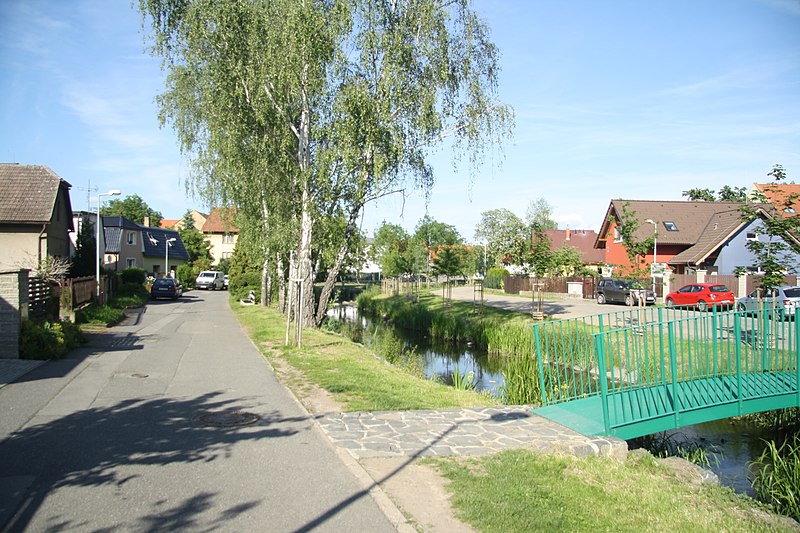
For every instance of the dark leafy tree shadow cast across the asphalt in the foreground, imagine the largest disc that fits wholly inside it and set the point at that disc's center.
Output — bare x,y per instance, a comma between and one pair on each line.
86,449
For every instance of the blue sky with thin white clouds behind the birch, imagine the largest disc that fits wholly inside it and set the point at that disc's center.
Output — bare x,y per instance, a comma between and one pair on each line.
613,99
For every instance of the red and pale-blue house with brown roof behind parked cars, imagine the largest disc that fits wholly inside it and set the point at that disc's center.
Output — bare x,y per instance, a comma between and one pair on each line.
690,236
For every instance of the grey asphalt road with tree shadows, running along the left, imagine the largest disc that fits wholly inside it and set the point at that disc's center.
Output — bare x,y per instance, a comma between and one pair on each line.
134,433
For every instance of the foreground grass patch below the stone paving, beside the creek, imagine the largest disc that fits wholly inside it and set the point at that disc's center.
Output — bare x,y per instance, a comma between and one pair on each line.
524,491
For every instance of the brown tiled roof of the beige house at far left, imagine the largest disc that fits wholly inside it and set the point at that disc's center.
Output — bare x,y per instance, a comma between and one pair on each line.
28,193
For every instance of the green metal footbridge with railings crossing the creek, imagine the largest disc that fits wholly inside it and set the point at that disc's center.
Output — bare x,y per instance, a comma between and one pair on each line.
644,370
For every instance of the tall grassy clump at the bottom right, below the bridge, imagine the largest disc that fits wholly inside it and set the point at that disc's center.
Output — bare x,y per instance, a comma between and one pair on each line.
776,477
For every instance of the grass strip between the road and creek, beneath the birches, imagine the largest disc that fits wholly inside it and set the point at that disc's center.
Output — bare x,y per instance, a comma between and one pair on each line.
355,377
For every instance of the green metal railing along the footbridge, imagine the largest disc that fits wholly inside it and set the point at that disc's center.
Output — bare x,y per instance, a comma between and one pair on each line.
645,347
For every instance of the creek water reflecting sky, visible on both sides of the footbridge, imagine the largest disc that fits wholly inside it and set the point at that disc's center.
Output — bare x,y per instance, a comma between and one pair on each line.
731,445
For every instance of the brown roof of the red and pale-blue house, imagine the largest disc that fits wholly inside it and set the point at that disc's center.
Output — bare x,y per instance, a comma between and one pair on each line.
691,219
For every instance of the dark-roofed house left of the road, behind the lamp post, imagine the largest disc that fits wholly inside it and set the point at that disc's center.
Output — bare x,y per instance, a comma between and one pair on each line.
134,245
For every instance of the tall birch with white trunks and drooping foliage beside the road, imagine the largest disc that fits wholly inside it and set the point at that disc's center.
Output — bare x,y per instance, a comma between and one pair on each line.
316,107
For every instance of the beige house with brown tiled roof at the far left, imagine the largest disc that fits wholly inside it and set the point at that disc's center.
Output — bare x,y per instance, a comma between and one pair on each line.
35,216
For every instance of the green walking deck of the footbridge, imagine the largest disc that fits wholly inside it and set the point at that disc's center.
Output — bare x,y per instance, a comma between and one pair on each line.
641,411
